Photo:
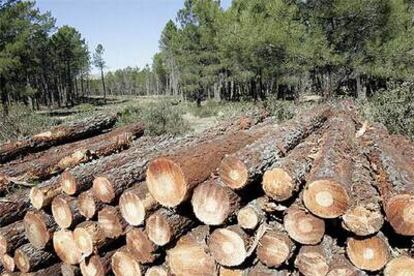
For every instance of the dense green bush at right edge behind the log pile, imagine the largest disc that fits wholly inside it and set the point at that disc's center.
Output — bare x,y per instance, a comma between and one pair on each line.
394,108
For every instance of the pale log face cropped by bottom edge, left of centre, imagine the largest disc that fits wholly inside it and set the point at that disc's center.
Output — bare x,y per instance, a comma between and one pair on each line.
124,264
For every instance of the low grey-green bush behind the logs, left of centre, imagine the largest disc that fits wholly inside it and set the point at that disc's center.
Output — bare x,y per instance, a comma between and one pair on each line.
159,118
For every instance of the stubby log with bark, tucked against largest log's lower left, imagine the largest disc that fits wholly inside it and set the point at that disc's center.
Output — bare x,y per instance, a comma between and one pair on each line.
136,204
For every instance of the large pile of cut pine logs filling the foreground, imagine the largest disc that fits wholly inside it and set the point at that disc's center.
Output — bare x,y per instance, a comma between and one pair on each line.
320,194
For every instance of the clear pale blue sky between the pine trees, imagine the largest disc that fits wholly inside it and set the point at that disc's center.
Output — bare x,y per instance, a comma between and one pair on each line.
129,30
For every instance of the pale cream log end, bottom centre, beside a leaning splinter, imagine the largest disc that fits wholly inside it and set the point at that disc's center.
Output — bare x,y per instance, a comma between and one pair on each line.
227,247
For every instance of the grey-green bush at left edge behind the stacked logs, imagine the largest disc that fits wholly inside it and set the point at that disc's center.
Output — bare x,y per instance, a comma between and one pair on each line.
22,121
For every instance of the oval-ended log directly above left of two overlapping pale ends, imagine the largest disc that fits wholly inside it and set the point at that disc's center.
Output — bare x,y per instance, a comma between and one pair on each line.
65,211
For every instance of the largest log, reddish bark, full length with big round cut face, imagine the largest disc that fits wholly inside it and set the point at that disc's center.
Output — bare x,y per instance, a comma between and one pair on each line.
172,178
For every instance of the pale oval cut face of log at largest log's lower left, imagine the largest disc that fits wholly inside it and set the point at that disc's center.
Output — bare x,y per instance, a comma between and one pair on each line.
132,208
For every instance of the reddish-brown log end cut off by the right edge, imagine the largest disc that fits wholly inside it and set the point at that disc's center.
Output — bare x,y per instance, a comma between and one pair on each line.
400,213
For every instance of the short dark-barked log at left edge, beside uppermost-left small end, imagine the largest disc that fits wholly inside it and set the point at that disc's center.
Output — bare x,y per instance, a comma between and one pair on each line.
14,207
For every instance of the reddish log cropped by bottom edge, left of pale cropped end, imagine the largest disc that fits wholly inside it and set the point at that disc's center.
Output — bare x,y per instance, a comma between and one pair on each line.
96,265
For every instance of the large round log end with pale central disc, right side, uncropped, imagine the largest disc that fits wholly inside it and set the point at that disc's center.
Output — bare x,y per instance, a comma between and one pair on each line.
326,199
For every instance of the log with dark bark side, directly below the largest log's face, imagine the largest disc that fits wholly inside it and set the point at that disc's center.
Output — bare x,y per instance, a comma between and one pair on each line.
165,225
